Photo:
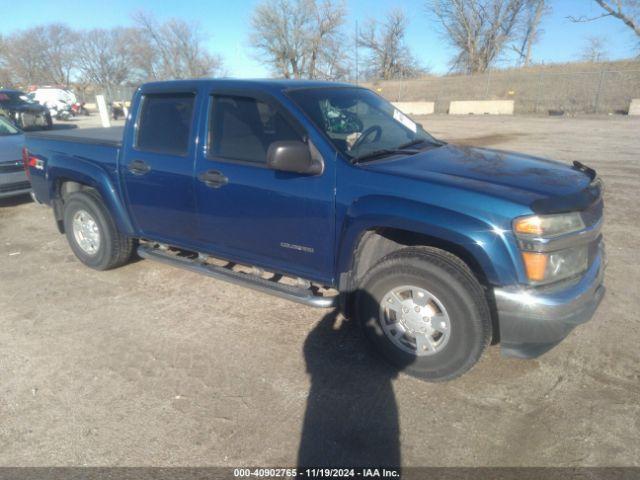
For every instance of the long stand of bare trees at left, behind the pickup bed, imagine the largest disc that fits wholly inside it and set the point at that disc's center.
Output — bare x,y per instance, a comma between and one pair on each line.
149,50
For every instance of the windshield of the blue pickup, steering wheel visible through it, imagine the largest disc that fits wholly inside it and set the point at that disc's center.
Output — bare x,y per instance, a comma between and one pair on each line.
360,123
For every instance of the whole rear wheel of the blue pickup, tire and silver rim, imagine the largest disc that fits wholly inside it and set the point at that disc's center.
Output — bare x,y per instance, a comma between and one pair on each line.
92,232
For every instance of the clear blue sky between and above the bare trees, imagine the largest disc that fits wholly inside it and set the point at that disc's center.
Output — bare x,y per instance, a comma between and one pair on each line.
226,24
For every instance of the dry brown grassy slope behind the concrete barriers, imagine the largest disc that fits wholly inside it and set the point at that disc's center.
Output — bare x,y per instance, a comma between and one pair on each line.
606,91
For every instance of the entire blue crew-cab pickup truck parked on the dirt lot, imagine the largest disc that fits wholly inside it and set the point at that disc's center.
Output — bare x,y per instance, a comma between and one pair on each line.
326,194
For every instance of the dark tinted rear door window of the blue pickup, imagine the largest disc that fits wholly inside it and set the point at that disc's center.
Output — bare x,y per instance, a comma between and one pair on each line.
164,123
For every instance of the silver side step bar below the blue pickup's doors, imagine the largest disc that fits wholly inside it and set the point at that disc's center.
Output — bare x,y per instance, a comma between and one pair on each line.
296,294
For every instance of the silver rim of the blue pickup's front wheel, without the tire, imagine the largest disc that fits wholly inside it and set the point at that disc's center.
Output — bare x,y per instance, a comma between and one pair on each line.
415,320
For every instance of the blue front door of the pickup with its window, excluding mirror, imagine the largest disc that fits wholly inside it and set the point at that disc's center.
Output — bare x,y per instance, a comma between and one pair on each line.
279,220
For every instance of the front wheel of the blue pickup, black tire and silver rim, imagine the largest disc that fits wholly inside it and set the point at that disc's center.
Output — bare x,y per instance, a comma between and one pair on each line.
425,312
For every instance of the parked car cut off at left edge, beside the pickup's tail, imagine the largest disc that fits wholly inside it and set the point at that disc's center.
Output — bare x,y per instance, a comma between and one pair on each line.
13,180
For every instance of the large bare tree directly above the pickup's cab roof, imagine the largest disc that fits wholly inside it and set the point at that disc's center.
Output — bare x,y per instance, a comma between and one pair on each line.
300,38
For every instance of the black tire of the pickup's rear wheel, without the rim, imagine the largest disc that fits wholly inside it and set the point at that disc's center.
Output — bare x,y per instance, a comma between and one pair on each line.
114,248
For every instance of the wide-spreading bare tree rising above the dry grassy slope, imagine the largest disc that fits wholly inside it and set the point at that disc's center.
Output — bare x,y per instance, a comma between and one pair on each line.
479,30
